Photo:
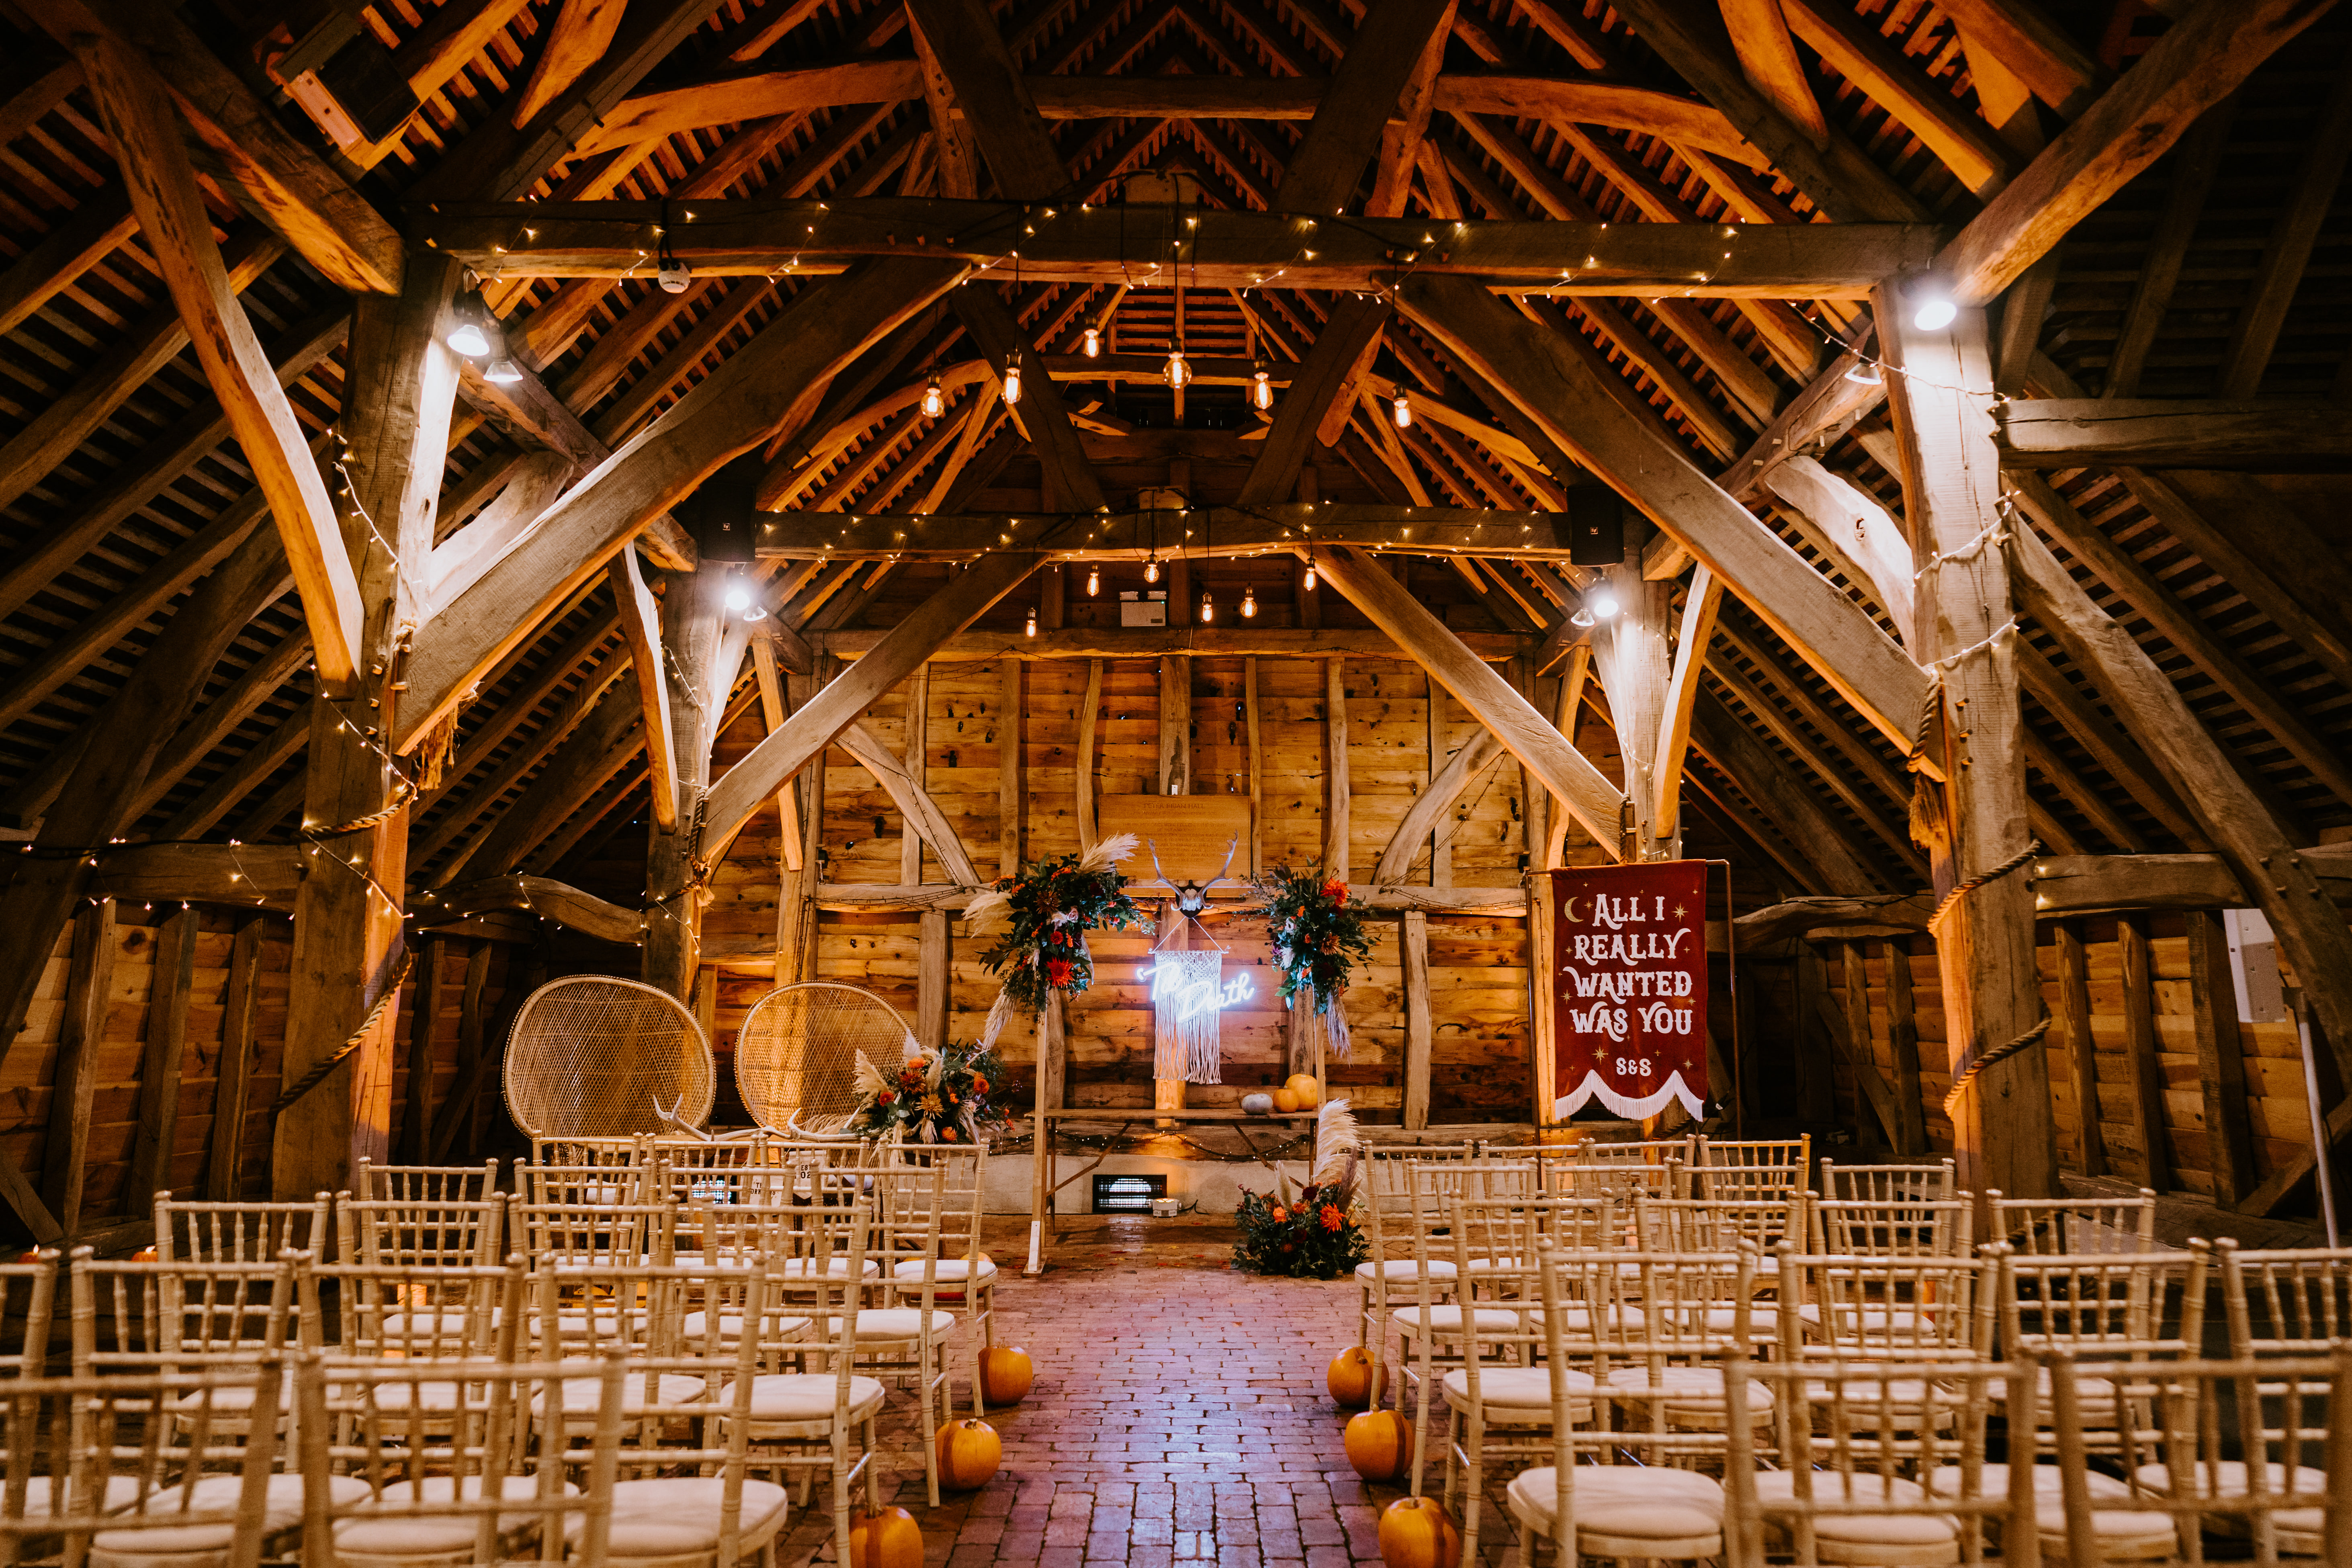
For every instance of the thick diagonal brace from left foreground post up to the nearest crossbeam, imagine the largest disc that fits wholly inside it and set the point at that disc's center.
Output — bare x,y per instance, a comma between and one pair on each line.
754,391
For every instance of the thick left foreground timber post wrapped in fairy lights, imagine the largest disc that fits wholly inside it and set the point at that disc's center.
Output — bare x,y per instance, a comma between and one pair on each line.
347,918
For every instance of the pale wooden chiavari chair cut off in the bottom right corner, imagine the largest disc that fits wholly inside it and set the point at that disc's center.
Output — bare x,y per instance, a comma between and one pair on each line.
2250,1452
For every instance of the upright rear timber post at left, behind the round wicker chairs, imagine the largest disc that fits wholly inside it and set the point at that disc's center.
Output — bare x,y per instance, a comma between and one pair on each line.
693,617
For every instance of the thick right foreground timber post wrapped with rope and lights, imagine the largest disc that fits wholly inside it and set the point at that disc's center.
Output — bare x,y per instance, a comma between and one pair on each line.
1963,610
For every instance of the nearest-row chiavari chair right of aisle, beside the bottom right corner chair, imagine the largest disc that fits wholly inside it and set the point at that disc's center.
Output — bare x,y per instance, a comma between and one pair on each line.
1859,1442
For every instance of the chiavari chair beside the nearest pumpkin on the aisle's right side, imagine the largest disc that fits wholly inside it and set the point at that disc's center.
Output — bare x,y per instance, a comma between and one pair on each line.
1499,1402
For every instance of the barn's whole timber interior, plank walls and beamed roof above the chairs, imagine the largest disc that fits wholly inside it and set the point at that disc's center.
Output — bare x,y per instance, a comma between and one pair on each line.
514,490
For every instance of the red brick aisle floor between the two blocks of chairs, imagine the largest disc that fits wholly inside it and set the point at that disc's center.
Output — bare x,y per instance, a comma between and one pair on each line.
1180,1419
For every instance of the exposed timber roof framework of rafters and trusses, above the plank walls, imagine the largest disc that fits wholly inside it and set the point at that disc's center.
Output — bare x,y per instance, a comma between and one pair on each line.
286,572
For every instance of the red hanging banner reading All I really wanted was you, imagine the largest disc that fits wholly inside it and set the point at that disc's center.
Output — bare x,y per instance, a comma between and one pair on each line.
1631,989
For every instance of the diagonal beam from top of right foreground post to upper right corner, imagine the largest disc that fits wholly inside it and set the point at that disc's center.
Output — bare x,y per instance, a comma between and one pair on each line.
2193,67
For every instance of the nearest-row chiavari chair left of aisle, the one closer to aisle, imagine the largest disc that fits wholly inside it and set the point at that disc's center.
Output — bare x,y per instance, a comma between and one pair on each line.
483,1496
